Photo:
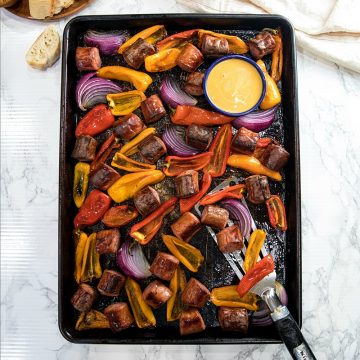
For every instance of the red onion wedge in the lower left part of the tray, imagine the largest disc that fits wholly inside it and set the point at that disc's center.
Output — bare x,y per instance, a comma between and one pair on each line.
132,261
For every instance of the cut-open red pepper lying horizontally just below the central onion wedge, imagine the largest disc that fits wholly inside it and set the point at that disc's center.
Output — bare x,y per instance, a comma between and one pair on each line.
175,165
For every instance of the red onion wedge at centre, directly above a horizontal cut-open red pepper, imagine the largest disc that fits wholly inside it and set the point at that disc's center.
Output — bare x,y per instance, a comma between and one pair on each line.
175,144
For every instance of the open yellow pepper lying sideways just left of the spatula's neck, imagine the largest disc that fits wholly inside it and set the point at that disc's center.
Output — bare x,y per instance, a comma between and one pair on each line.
228,296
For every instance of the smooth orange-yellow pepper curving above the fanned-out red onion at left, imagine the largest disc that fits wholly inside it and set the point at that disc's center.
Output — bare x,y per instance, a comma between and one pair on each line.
140,80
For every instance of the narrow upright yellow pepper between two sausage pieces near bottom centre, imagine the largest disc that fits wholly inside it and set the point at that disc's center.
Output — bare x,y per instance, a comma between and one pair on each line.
174,305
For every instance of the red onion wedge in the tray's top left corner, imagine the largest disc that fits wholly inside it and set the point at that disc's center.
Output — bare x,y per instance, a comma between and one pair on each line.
108,43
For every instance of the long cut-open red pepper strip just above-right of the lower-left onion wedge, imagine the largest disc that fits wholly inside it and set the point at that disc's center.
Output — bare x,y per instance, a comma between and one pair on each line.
145,230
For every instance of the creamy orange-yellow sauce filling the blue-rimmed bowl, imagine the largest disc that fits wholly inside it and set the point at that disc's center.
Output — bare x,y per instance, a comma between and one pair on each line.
234,86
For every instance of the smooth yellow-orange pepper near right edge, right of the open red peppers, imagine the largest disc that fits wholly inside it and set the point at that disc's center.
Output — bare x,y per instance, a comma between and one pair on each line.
252,165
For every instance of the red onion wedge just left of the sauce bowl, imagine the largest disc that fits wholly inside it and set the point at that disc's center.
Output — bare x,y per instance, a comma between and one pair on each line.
173,95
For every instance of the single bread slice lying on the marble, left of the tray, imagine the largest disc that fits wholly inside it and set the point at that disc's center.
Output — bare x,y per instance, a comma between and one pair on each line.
45,50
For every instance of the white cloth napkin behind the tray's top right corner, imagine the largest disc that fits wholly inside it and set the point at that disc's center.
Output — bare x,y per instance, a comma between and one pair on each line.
327,28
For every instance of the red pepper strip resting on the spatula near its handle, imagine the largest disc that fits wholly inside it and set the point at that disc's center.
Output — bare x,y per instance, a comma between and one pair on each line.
254,275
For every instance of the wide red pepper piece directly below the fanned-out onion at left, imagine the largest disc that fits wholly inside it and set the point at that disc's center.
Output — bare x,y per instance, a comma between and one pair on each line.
95,121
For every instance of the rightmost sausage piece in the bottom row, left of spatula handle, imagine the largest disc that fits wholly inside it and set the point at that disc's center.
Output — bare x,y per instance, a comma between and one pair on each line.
233,319
